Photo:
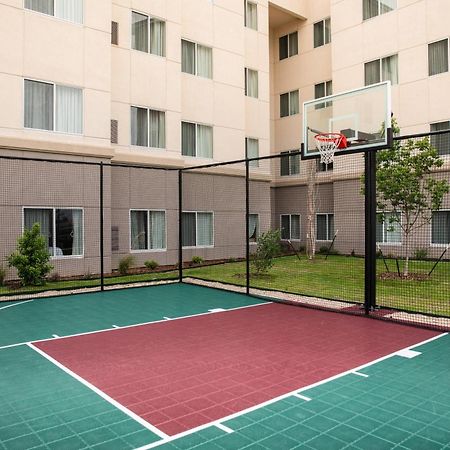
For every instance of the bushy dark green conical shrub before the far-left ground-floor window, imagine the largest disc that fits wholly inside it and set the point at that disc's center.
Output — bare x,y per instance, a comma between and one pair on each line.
31,258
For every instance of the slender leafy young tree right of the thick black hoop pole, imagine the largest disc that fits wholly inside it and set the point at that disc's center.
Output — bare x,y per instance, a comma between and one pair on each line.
406,187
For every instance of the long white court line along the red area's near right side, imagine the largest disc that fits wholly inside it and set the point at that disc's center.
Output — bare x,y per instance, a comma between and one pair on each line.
281,397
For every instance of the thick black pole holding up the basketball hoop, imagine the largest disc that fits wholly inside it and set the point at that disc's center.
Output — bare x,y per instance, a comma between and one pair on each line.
370,232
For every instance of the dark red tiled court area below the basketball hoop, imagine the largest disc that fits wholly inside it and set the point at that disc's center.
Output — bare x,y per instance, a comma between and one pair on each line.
180,374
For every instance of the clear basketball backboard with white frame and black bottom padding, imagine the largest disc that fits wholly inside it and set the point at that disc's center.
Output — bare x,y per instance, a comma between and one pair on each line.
362,115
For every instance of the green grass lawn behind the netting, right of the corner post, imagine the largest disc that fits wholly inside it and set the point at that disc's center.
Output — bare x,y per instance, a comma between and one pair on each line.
342,278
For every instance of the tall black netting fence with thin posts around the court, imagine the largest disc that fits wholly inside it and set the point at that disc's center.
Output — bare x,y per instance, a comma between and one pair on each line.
277,227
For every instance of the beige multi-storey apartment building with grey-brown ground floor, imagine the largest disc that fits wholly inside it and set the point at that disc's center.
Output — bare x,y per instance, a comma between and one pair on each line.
174,83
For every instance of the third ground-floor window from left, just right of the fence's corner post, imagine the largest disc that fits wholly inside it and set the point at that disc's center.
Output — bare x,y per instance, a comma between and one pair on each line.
197,229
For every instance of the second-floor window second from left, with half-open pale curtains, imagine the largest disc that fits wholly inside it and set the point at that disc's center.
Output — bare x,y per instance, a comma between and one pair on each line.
148,127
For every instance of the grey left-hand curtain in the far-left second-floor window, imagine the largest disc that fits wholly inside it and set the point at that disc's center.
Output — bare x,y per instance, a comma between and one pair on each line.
38,105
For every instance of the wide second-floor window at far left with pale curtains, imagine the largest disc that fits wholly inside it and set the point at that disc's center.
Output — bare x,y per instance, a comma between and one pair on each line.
53,107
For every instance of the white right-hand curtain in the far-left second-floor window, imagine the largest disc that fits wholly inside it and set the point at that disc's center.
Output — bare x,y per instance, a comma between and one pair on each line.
69,110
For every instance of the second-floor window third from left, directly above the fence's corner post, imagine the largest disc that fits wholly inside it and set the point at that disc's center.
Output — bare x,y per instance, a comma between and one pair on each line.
196,140
